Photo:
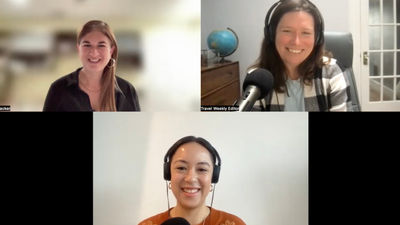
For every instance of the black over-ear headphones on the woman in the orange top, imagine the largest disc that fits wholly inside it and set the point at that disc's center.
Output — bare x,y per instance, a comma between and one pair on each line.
199,140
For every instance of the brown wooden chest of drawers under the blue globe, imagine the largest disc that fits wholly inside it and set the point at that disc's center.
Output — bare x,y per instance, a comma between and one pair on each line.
220,84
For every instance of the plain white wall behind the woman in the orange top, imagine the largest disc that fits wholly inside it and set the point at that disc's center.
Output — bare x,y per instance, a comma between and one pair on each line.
264,174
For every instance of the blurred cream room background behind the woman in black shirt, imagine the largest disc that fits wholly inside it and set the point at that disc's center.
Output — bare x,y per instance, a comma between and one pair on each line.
158,41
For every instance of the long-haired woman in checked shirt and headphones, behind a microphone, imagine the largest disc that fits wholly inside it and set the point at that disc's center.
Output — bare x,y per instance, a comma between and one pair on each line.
306,77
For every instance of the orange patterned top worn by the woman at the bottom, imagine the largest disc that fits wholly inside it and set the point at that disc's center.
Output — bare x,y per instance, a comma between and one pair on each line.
216,217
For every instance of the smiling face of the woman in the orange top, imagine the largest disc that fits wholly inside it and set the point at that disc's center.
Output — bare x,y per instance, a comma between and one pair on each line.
191,173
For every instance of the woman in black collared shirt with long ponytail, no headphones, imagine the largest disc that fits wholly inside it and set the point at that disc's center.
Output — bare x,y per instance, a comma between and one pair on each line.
94,86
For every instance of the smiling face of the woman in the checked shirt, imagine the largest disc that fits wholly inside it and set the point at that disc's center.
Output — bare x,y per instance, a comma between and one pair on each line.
295,38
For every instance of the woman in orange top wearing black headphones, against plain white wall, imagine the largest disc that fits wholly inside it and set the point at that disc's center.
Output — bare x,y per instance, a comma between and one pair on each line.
191,167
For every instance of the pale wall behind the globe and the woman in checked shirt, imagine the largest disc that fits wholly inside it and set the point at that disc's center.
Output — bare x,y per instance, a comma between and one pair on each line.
246,18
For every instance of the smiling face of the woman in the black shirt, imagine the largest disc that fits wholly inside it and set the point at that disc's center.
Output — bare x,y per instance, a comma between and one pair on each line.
95,51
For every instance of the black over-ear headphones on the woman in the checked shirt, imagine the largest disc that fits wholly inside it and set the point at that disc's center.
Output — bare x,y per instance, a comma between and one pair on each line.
269,33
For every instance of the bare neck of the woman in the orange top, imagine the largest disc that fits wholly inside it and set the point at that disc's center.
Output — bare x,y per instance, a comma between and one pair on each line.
193,216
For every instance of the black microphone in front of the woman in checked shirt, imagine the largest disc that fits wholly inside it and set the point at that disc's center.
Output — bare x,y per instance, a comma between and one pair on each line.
256,85
